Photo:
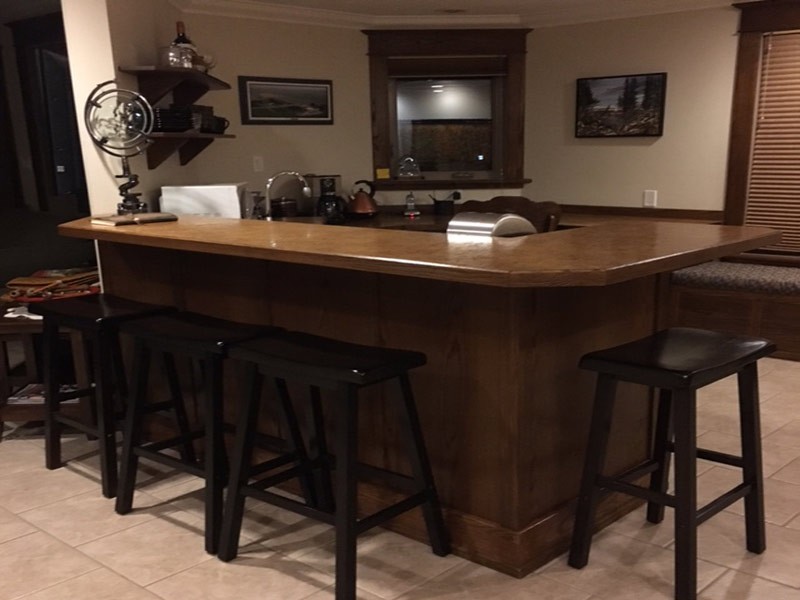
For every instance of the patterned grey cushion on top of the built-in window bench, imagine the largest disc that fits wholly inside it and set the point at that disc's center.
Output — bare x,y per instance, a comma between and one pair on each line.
746,277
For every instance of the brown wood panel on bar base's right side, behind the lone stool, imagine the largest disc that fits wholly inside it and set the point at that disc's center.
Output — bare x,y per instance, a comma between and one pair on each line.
561,398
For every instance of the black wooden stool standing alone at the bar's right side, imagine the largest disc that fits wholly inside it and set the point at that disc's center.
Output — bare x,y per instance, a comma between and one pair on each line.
678,362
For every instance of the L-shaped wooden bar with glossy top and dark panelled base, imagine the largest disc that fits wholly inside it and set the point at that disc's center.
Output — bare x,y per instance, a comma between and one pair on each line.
503,322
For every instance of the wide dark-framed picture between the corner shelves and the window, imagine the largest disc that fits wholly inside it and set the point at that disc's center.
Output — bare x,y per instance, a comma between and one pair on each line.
276,101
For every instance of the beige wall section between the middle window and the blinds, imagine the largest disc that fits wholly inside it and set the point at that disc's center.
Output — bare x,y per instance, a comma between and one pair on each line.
687,164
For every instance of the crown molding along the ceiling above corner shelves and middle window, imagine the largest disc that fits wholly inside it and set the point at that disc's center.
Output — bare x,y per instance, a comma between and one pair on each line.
251,9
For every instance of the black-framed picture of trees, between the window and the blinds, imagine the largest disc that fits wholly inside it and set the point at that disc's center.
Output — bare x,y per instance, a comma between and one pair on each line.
620,106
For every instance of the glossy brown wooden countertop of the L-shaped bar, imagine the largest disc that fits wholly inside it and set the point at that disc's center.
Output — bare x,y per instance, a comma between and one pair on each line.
586,256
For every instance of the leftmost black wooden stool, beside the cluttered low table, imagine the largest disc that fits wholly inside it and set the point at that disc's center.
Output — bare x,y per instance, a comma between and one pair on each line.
97,317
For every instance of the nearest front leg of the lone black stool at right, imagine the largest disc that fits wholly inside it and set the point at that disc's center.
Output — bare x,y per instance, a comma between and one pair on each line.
685,495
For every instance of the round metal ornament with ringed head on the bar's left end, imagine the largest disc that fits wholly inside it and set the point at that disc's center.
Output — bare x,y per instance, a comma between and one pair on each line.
119,122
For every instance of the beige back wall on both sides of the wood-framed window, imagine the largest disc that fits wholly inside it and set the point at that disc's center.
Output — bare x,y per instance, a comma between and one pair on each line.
686,166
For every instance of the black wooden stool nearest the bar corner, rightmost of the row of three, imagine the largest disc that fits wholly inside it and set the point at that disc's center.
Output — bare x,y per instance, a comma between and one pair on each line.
344,368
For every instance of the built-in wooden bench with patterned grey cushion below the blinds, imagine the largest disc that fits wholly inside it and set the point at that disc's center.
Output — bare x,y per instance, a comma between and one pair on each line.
741,298
